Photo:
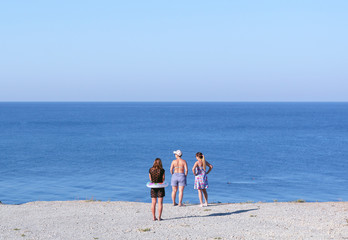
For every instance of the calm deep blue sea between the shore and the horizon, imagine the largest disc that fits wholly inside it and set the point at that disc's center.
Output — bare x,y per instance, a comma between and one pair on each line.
260,151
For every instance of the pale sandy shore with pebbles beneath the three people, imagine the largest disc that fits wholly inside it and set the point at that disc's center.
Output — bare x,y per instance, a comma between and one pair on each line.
130,220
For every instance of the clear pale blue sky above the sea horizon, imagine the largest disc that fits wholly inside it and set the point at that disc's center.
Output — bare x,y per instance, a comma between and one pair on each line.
147,50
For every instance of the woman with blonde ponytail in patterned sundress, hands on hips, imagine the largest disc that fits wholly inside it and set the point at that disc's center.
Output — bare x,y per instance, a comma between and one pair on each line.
201,179
